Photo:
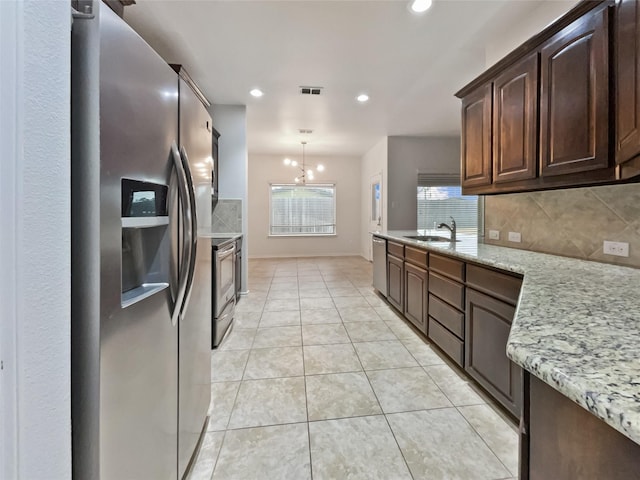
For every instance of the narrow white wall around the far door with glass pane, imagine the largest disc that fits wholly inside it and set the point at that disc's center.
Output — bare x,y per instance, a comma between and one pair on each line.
374,162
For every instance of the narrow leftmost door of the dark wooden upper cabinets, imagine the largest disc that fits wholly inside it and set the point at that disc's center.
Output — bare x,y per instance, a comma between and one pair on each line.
476,138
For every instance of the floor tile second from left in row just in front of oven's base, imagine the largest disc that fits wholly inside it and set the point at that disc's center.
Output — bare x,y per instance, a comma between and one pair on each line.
274,362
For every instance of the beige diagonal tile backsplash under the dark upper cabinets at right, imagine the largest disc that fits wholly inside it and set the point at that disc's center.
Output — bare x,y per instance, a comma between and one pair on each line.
572,222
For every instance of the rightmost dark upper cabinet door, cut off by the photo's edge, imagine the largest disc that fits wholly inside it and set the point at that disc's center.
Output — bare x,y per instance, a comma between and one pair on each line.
627,80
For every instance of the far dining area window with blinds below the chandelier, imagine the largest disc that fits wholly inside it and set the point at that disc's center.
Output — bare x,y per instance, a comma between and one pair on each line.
303,209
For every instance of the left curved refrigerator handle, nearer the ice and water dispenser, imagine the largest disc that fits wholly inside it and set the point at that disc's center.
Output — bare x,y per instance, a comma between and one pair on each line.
183,196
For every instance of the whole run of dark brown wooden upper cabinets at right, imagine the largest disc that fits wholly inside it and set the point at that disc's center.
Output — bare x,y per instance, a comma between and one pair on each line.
551,106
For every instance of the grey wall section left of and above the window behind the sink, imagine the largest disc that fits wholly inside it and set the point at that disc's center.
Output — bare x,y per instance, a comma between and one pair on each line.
409,156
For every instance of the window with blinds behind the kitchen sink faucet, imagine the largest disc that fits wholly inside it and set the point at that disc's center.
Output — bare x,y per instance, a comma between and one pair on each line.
440,197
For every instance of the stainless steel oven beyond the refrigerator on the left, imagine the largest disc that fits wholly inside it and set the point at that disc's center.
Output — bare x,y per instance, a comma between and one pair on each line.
224,298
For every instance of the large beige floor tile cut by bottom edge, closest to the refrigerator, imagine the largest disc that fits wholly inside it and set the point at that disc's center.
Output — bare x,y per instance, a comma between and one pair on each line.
276,452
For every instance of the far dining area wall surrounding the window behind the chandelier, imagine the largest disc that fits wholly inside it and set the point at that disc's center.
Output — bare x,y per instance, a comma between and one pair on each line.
343,171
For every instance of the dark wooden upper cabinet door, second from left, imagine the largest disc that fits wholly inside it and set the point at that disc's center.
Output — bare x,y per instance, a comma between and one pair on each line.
515,128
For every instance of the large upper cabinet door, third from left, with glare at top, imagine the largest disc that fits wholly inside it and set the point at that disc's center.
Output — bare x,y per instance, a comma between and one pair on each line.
574,99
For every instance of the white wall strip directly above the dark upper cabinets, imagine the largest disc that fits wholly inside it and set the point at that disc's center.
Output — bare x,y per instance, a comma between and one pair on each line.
514,35
